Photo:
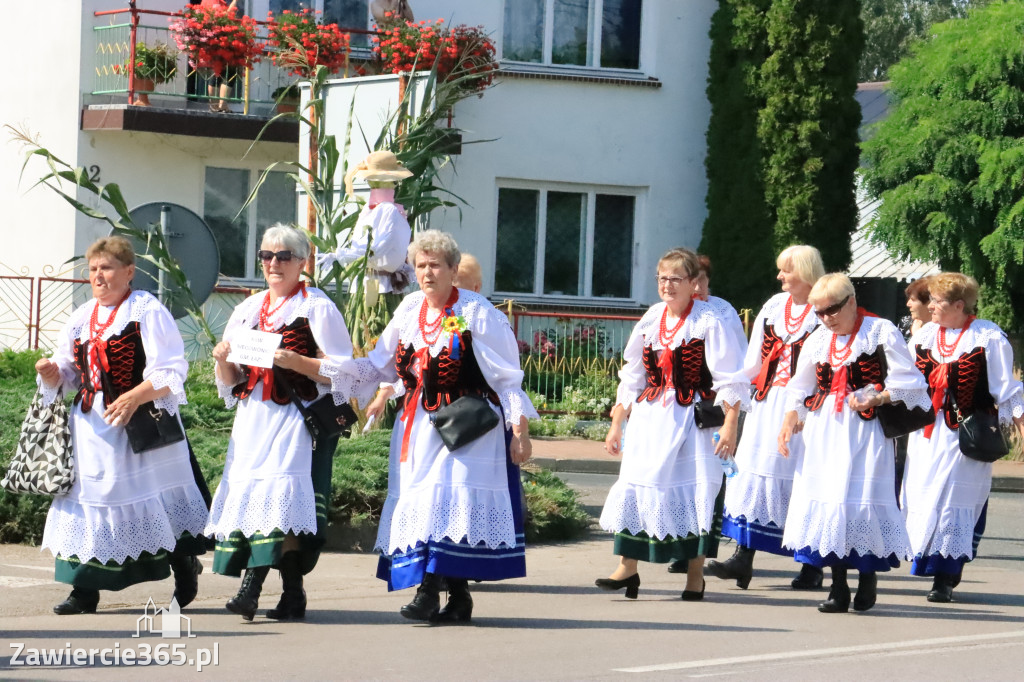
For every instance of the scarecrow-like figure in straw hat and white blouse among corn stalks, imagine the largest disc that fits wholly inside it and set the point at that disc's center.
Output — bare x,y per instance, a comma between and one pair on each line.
381,234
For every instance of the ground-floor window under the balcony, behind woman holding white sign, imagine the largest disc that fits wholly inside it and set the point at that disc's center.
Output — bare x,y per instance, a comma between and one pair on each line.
238,238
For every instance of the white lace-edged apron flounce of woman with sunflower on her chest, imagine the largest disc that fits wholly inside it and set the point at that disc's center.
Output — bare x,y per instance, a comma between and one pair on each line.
460,515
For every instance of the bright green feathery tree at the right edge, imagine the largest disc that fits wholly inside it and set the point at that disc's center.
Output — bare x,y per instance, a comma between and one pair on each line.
948,163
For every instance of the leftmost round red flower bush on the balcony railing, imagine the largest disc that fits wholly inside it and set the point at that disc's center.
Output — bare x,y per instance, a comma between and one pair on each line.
218,38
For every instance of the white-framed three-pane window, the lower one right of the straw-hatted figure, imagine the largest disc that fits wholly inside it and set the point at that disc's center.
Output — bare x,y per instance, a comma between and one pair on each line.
565,243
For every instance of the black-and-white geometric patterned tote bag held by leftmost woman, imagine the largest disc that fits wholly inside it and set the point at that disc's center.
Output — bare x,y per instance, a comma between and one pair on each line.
44,463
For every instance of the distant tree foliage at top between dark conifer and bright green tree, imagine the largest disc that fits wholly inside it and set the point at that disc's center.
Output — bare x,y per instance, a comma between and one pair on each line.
892,26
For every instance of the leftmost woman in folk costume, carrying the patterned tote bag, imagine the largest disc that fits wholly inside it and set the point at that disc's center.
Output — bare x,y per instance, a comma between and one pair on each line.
131,516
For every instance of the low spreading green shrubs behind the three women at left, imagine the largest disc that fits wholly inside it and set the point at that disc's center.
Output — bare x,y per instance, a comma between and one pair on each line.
359,479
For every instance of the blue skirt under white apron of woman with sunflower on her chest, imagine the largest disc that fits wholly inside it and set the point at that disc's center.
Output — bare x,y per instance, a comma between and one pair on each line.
460,560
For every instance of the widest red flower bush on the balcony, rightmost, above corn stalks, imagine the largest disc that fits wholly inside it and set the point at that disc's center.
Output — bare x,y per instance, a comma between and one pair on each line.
463,55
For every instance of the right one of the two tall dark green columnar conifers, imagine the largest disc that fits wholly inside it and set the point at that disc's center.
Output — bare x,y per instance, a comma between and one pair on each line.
808,126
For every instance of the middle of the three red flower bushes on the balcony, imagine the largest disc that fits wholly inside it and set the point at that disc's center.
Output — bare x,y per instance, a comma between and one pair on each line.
302,45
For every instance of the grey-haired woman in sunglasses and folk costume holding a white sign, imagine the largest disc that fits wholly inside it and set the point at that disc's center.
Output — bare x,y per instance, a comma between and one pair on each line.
271,507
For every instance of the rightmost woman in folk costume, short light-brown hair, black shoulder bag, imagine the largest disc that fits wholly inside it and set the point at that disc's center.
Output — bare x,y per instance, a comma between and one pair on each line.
969,366
